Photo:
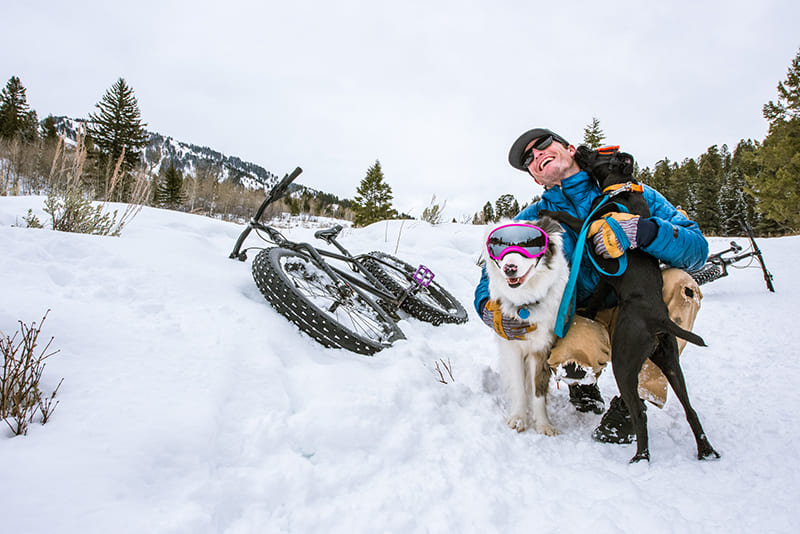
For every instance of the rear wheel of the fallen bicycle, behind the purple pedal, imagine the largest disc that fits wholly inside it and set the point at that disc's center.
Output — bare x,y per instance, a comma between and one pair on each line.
432,304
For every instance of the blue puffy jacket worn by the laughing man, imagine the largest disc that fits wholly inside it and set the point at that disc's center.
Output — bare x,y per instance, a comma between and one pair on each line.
678,243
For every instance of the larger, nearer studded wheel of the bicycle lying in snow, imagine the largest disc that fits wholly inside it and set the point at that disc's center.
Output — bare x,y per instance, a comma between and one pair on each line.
335,316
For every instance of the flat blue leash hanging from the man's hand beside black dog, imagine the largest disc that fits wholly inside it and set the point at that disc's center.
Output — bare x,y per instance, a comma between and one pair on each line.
566,309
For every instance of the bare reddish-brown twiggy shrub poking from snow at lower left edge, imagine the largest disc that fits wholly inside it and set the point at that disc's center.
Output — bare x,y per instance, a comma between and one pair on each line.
20,395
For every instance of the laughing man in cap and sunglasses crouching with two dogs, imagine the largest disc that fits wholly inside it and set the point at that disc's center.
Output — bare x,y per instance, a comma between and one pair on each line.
584,351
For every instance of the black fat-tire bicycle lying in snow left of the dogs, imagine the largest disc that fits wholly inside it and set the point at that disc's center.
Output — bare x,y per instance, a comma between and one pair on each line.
357,310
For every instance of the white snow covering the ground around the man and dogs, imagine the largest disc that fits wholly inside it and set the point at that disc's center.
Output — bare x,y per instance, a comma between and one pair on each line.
190,406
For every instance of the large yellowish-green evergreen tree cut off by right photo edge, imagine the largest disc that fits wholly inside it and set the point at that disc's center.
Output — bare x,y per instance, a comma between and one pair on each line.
777,180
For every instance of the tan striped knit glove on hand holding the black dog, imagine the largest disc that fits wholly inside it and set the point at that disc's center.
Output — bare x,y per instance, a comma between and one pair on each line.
613,237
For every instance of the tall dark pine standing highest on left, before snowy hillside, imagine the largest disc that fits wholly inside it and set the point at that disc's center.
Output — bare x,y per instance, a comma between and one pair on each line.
116,130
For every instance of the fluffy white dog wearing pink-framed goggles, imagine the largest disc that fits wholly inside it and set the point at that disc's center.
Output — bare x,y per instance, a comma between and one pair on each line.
527,274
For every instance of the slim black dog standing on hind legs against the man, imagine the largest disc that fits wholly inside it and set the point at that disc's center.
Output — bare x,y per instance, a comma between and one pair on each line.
643,328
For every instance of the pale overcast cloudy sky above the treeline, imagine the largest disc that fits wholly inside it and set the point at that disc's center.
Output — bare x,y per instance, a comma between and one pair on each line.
435,90
